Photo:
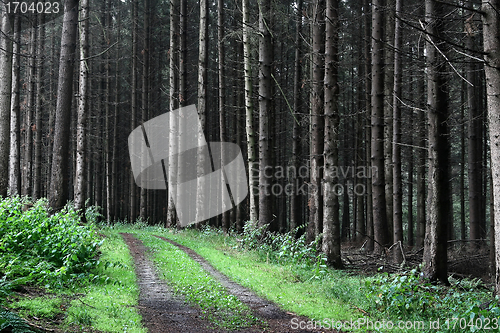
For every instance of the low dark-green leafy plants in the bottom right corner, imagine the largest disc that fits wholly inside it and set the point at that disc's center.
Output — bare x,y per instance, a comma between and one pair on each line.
406,296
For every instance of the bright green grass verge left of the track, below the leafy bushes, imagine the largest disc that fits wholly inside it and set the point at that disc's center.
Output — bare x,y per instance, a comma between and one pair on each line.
106,305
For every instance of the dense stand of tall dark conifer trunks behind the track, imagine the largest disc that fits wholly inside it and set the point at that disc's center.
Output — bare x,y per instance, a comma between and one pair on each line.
368,130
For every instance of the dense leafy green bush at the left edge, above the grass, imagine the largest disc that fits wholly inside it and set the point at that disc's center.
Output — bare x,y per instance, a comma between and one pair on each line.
46,248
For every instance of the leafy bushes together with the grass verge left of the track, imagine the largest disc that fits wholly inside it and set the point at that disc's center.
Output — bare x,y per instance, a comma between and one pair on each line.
61,258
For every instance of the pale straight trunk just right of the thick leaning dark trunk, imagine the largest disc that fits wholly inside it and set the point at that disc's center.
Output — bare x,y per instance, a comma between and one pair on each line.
81,152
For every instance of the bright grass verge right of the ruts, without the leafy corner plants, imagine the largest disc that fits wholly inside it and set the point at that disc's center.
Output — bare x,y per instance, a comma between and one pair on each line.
294,288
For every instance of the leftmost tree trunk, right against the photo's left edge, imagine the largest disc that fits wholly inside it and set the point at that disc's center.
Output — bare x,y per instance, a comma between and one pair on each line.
5,98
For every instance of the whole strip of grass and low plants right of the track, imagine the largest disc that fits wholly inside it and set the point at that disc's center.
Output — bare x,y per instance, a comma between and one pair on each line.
328,295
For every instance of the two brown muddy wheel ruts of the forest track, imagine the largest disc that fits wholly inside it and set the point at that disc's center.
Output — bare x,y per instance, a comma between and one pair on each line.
164,311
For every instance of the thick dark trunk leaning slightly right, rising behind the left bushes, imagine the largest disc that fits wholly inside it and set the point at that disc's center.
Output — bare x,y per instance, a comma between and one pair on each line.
59,177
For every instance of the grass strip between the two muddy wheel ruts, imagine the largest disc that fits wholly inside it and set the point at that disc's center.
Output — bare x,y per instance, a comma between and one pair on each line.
187,277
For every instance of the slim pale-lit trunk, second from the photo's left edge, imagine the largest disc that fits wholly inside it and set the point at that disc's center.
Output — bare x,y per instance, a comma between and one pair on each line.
15,134
